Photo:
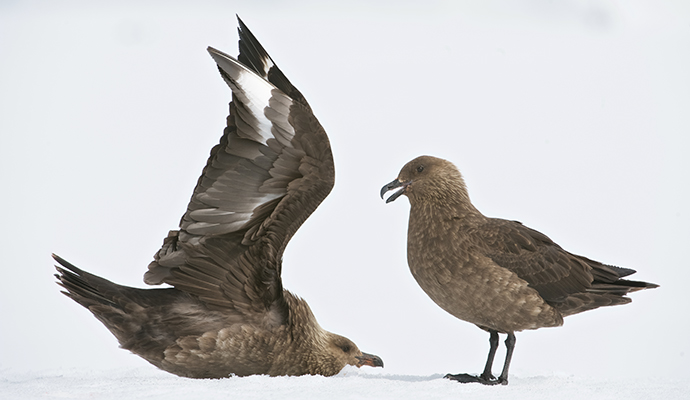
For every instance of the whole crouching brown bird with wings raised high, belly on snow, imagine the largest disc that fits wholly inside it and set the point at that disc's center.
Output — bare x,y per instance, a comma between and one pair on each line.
227,312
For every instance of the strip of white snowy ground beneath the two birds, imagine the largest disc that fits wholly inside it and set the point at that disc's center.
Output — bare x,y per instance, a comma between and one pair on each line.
351,383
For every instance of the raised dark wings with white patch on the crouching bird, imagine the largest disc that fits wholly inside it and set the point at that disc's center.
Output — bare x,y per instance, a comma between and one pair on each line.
272,168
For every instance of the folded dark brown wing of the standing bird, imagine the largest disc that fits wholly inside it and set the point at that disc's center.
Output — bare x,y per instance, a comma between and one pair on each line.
552,271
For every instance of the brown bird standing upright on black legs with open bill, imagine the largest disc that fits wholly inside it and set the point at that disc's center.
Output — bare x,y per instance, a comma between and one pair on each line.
498,274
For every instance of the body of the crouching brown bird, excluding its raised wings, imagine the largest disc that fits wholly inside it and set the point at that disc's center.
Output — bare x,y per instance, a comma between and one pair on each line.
177,333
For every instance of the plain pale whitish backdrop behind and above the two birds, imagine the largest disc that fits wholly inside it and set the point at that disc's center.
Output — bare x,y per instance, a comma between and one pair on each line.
572,117
